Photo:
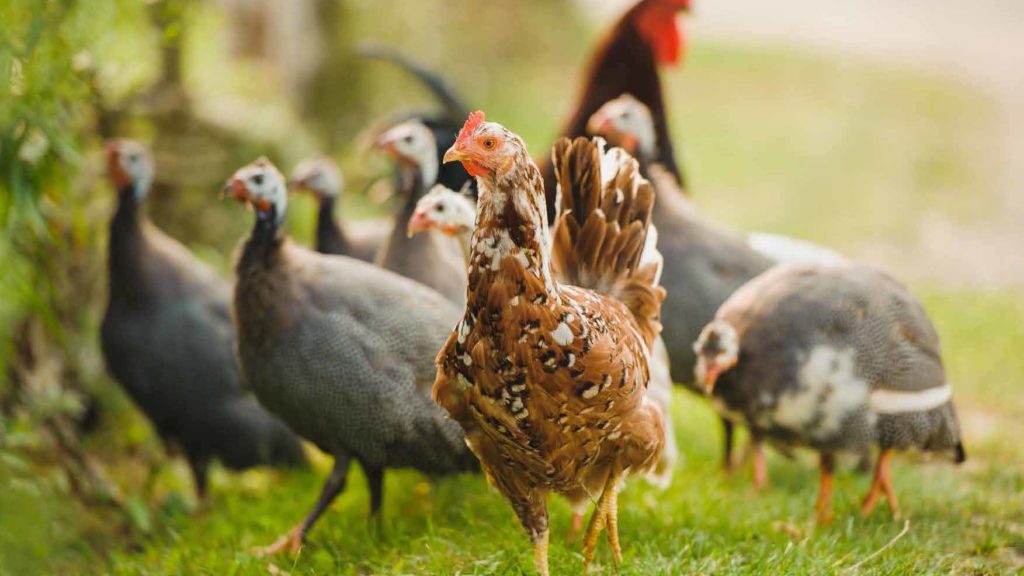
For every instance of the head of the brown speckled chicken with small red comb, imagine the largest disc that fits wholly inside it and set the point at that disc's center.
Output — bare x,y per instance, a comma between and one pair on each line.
487,149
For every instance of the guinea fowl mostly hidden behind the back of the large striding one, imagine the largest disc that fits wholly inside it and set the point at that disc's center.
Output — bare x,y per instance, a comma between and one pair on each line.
362,240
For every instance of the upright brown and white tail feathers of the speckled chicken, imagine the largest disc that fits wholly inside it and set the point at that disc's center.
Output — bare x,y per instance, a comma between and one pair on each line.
604,237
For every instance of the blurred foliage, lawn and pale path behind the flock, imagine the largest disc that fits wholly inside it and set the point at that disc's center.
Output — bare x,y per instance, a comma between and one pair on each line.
892,132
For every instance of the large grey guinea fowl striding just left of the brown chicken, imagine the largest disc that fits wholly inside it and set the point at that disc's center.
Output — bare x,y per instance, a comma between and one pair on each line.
342,351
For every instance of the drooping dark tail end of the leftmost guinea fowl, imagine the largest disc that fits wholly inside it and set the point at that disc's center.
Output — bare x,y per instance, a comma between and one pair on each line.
243,435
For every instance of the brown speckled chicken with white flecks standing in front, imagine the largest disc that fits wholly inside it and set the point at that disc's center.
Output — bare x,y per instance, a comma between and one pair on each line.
549,381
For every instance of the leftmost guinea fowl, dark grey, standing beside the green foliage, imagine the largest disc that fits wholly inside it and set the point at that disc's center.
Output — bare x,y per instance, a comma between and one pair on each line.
167,340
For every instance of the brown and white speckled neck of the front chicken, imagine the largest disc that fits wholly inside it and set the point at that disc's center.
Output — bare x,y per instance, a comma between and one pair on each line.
510,223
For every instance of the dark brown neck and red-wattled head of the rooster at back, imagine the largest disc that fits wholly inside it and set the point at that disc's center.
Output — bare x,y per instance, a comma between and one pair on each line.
627,61
